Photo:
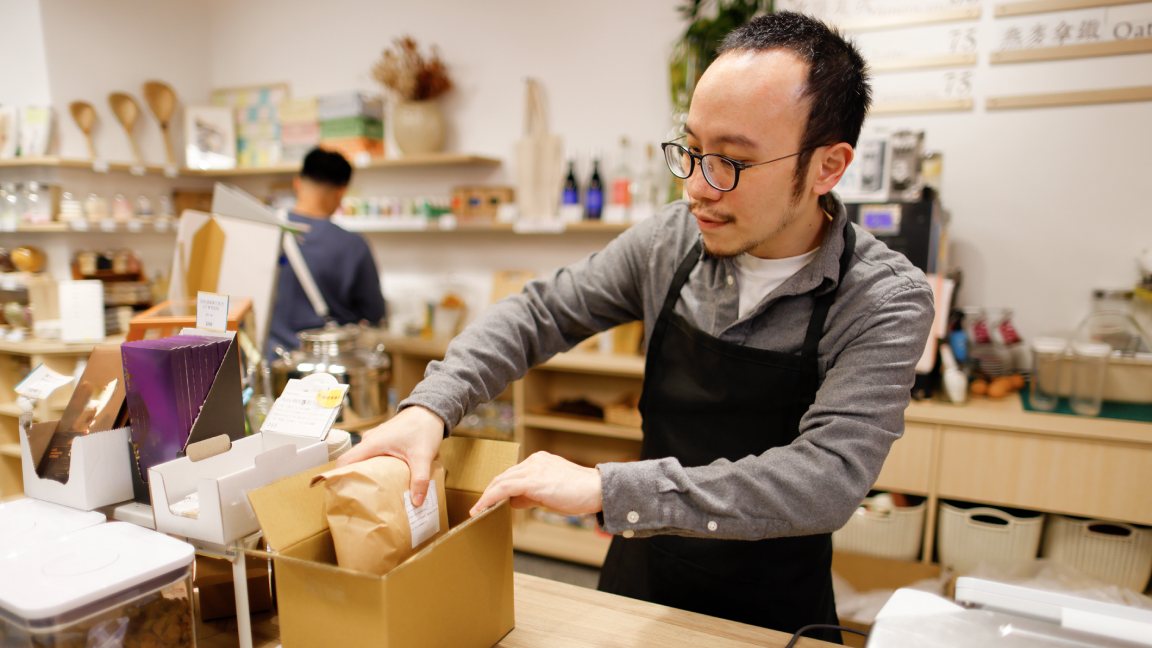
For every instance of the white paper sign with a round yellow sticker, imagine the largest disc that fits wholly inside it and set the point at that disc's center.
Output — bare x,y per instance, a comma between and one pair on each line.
307,408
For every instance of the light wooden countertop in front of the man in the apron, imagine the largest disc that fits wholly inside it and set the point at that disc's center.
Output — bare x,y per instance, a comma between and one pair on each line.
557,615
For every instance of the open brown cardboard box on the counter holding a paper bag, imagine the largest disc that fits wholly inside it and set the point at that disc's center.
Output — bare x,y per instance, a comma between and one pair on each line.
456,592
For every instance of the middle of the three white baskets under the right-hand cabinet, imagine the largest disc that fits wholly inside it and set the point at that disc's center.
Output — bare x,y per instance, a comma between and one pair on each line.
966,542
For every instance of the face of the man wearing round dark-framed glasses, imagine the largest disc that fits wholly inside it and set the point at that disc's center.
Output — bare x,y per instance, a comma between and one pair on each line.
749,108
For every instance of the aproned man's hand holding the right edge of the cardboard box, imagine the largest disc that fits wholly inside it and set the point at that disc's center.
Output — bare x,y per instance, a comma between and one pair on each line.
545,480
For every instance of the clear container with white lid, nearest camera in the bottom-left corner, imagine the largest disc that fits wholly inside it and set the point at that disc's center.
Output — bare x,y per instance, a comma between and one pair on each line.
107,585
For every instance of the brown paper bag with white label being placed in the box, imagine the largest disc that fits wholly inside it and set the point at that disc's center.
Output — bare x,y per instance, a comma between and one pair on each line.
374,526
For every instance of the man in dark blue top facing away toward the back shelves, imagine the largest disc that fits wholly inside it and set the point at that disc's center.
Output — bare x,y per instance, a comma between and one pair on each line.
340,262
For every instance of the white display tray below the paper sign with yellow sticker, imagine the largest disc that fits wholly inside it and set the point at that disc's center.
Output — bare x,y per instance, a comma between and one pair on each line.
223,484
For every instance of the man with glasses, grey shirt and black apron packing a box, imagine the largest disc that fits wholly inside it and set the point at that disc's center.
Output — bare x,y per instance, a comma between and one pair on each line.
782,349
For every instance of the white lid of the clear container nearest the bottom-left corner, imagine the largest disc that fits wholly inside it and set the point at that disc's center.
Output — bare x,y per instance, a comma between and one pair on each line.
103,566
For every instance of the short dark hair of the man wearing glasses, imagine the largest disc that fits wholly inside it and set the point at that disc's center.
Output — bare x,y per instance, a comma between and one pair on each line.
838,80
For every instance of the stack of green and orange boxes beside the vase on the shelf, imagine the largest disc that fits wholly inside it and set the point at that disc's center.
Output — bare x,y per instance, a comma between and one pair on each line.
353,124
